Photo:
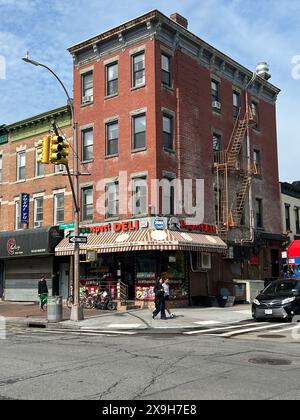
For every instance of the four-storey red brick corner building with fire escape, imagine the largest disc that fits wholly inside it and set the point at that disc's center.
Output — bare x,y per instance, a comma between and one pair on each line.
154,100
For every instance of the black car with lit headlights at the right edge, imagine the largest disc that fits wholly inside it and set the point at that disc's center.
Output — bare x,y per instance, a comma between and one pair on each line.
280,299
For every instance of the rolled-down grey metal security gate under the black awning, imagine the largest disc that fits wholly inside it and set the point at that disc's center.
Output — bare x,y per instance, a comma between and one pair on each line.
22,276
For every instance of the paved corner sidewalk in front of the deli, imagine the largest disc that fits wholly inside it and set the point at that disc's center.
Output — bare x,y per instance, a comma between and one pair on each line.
185,318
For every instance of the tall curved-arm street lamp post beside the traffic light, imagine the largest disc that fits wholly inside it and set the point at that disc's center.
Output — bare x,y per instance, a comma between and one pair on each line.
76,312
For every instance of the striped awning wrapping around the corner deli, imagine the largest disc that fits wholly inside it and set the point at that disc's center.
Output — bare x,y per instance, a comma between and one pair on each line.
145,240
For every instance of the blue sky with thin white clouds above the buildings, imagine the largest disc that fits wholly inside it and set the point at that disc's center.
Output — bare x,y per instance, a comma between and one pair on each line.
249,31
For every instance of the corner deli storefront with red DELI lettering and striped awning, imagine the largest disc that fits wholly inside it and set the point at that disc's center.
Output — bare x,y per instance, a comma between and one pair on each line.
135,252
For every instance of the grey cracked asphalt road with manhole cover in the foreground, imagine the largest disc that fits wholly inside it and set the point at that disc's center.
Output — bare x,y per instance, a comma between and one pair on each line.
164,366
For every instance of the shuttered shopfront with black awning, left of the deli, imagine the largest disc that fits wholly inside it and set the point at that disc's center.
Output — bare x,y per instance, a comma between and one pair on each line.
25,256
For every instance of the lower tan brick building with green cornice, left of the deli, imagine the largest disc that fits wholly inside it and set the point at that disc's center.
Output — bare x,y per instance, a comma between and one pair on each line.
26,250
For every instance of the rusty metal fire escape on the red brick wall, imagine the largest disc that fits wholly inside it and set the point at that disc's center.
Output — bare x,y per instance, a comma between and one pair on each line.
230,165
